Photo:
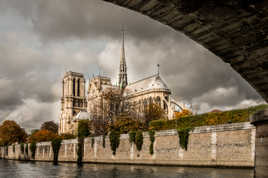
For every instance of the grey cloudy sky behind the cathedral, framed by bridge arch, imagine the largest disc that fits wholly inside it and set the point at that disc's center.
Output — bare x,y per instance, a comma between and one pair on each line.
40,40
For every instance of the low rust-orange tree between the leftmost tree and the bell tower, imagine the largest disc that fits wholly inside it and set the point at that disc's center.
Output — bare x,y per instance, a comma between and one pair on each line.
42,136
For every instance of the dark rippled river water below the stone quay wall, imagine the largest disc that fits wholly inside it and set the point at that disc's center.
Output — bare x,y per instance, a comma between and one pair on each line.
17,169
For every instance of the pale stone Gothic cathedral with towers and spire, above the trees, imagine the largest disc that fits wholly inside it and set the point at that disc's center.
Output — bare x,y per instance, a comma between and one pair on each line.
76,105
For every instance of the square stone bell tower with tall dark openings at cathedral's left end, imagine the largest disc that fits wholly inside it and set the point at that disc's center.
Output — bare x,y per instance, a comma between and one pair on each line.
73,99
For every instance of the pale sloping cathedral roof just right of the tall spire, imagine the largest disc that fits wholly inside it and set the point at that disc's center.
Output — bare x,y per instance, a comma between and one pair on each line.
154,82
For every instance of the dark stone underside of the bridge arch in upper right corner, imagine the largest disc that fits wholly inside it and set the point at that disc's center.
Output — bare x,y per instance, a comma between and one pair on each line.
234,30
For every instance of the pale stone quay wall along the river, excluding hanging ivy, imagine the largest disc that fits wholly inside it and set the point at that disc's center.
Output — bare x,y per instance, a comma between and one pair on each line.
230,145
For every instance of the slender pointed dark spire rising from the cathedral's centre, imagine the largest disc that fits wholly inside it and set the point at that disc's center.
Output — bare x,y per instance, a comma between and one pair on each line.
123,66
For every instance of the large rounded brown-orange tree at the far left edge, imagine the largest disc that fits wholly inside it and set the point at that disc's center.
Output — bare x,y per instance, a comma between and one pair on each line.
11,132
